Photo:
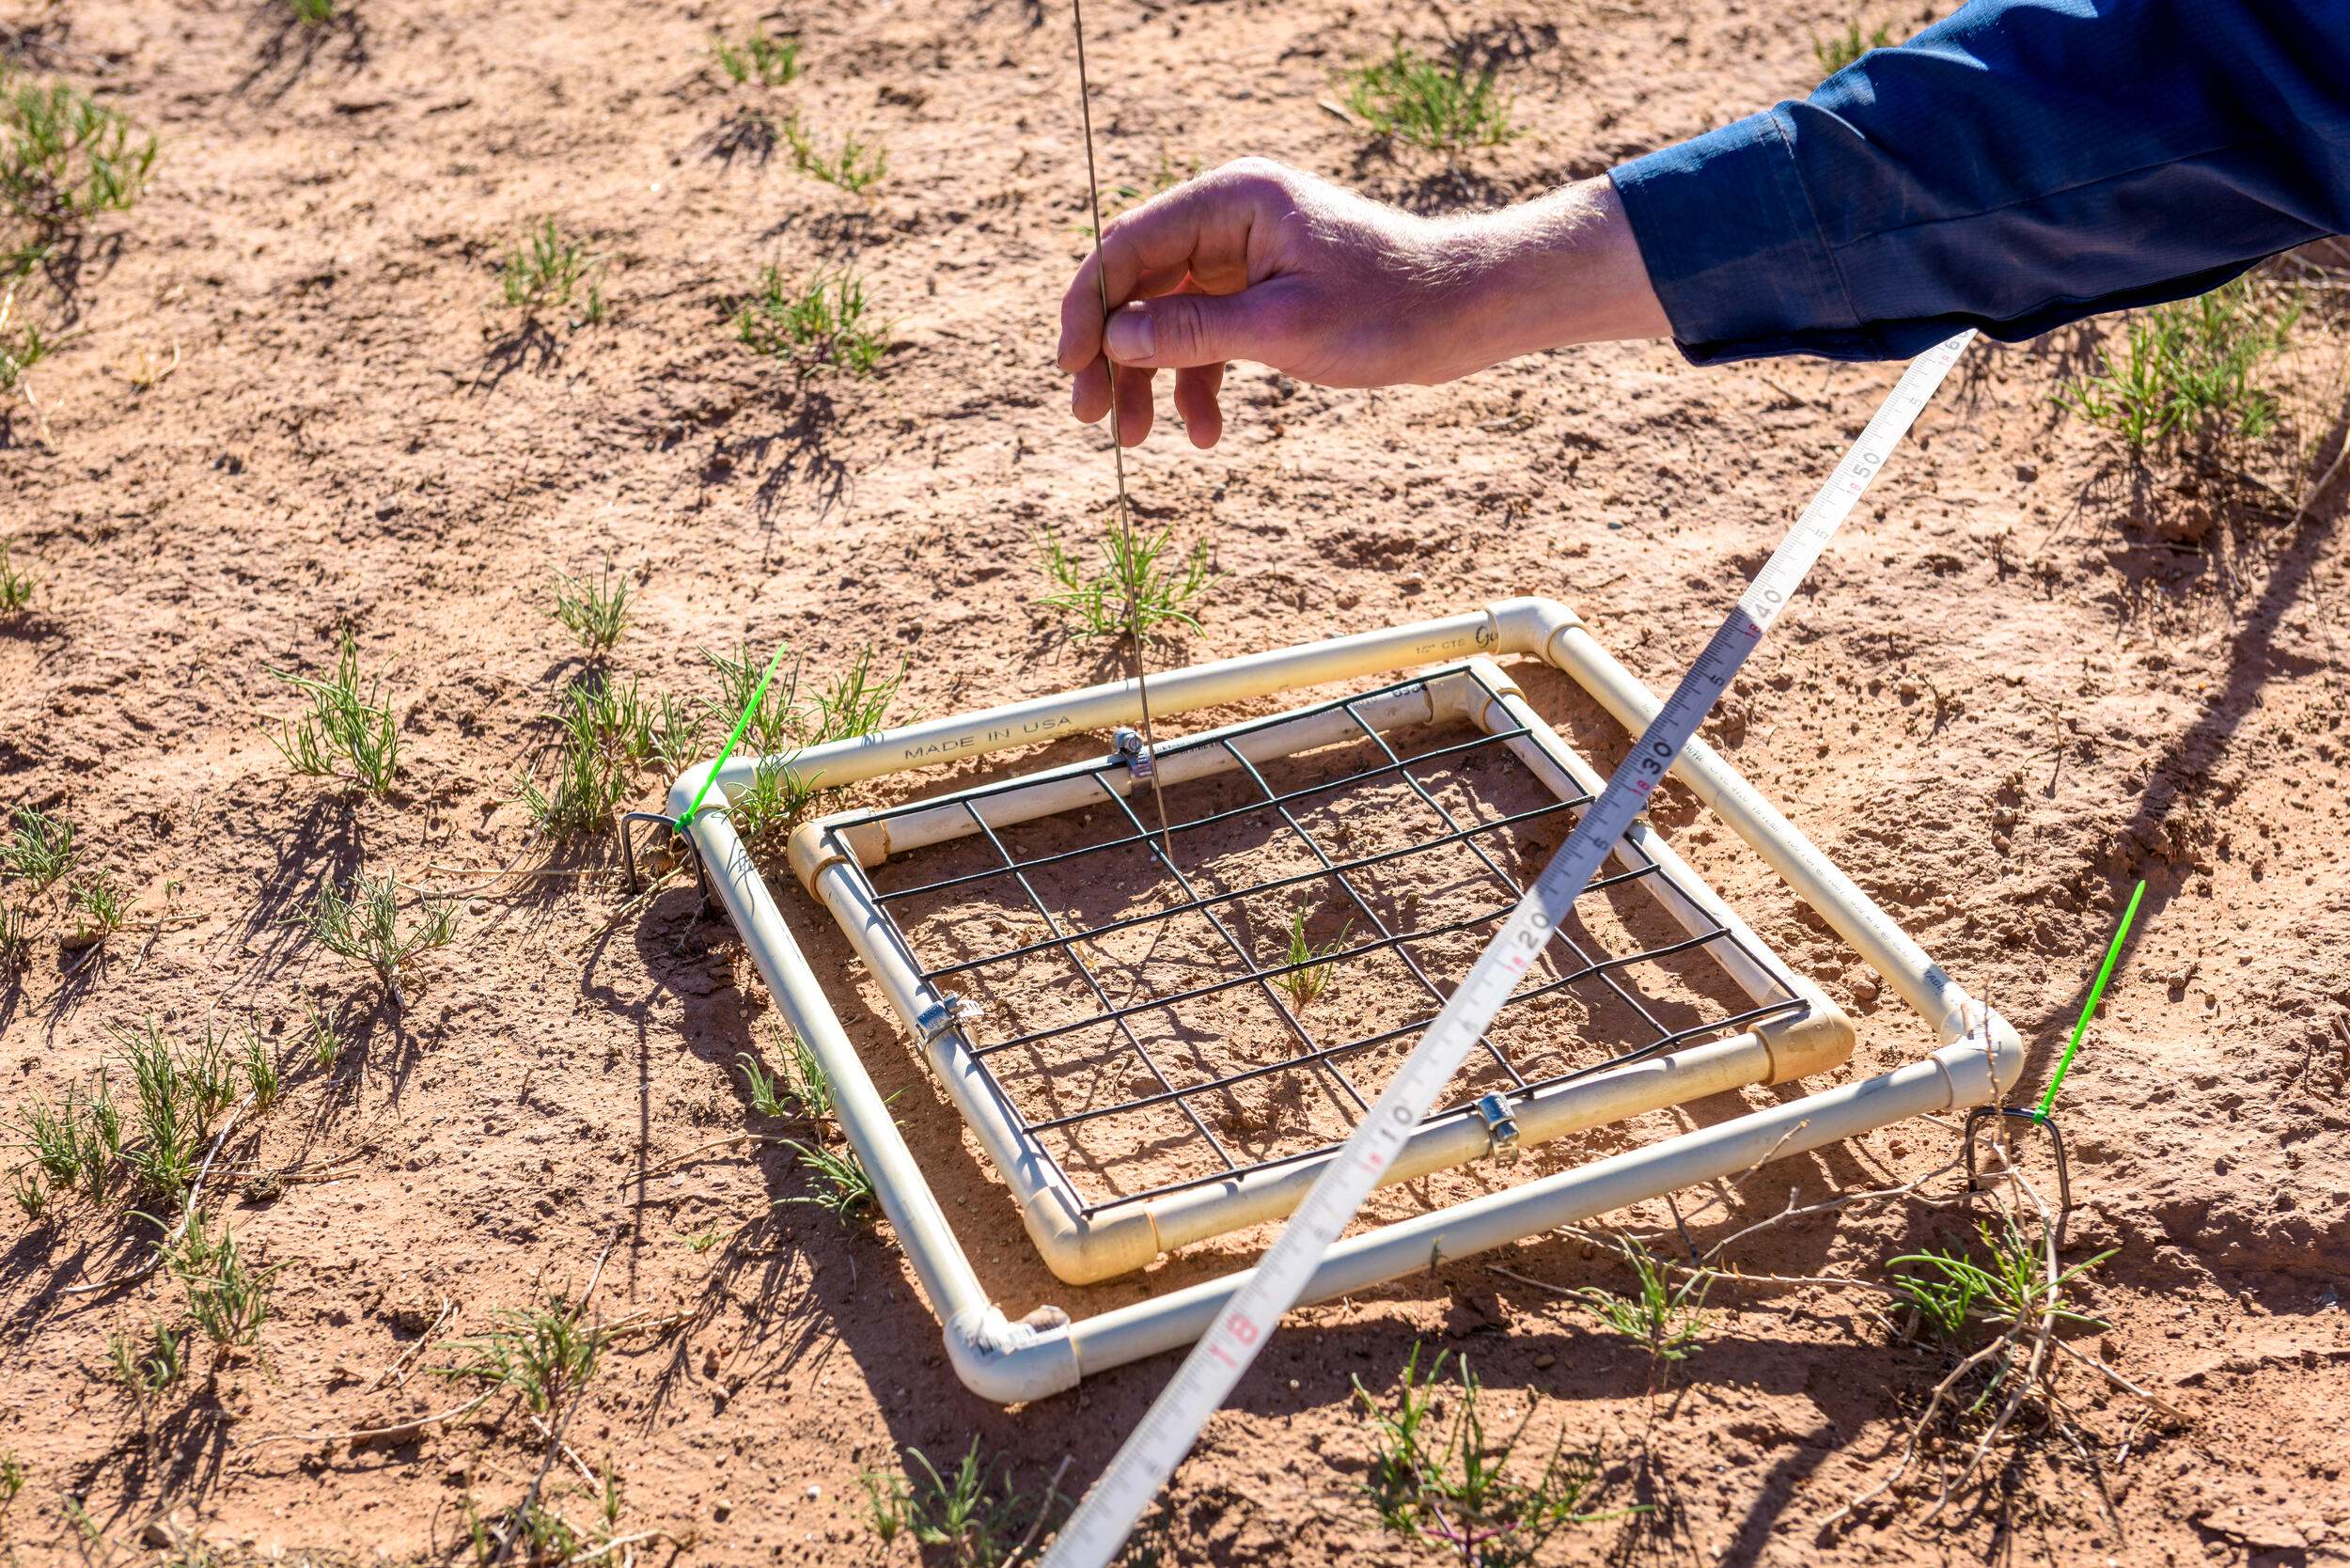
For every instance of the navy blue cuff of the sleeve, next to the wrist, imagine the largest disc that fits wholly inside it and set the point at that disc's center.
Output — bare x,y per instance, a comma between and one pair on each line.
1733,250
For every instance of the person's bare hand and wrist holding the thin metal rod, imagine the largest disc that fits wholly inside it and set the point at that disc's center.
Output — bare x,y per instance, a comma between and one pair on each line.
1263,262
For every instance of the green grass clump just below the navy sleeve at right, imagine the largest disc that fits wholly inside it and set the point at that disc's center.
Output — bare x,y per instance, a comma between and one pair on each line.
2191,370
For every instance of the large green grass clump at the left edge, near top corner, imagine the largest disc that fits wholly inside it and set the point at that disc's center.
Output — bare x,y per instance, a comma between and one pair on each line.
65,159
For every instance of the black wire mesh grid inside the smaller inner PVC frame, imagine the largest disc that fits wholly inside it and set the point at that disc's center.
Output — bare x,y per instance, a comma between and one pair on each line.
1157,1024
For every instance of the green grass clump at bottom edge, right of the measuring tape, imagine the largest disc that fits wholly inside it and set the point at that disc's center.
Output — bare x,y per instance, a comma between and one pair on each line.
1444,1480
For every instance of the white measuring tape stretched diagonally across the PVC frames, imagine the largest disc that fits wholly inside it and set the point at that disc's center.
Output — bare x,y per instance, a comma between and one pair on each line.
1171,1426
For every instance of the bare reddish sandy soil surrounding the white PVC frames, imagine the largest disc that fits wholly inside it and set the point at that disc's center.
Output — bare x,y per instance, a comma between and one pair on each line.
2027,678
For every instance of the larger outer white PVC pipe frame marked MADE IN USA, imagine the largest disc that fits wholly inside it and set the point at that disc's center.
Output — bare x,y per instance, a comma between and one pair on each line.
1049,1353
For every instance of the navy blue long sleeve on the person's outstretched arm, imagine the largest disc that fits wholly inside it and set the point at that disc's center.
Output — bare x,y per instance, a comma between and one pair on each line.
2013,168
